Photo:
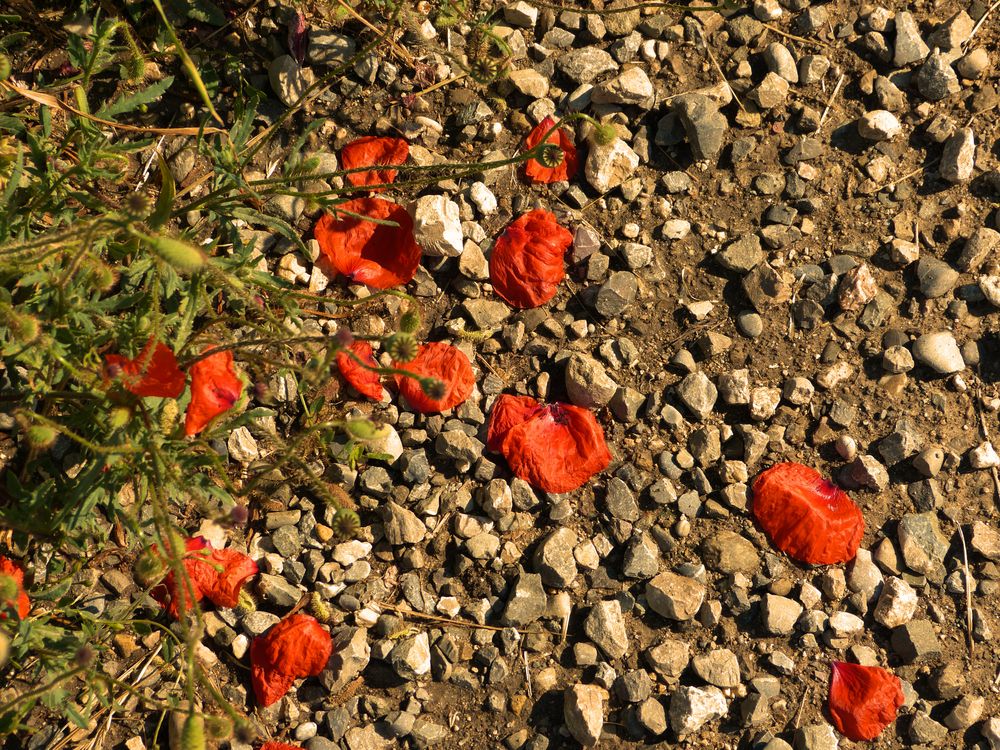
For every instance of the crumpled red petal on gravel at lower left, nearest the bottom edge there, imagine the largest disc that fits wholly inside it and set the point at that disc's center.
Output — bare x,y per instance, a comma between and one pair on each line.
298,646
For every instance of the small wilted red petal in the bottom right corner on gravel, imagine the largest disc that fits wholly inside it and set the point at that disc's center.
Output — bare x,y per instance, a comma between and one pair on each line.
863,700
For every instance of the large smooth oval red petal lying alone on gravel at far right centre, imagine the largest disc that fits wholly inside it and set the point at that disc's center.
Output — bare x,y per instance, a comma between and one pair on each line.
806,516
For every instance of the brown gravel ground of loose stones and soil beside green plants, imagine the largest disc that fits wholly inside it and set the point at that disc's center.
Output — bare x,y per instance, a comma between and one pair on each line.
790,254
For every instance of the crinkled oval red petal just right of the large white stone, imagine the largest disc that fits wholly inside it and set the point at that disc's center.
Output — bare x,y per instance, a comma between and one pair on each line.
527,262
